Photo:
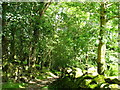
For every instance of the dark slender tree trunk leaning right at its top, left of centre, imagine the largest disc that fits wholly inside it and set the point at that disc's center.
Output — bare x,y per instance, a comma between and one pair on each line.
34,44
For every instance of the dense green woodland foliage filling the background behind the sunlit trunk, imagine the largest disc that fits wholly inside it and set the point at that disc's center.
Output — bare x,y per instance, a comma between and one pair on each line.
39,37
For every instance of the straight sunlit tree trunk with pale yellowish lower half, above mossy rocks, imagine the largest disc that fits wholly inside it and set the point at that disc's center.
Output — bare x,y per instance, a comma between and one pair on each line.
102,43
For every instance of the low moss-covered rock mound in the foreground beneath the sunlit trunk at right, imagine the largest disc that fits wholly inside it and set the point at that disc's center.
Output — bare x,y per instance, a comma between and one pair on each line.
84,82
